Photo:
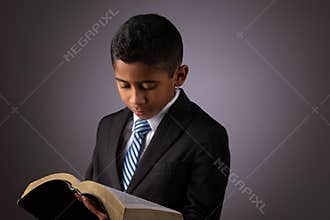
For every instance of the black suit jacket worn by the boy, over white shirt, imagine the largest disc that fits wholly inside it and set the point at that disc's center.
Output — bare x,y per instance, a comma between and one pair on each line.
178,168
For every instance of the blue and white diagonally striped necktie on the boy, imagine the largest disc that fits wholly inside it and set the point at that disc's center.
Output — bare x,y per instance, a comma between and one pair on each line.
132,156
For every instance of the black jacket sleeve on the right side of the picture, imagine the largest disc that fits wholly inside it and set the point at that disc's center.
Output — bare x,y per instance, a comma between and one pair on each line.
209,178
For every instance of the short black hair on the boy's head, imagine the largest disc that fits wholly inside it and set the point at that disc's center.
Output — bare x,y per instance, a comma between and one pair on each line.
151,39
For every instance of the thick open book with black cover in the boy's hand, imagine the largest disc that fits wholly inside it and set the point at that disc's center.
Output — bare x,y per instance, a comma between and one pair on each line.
53,197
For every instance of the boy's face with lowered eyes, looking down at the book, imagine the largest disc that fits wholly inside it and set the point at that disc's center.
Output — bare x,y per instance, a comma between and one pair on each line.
143,89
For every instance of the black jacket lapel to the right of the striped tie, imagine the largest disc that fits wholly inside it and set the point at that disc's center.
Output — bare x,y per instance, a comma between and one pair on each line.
172,126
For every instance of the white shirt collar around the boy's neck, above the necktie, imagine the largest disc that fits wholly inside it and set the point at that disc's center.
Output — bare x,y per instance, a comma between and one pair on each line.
156,119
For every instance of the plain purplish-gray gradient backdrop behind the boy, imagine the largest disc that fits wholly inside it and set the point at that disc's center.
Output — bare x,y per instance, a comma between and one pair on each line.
259,67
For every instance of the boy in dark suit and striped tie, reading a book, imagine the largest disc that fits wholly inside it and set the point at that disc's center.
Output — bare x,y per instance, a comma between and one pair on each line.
161,147
